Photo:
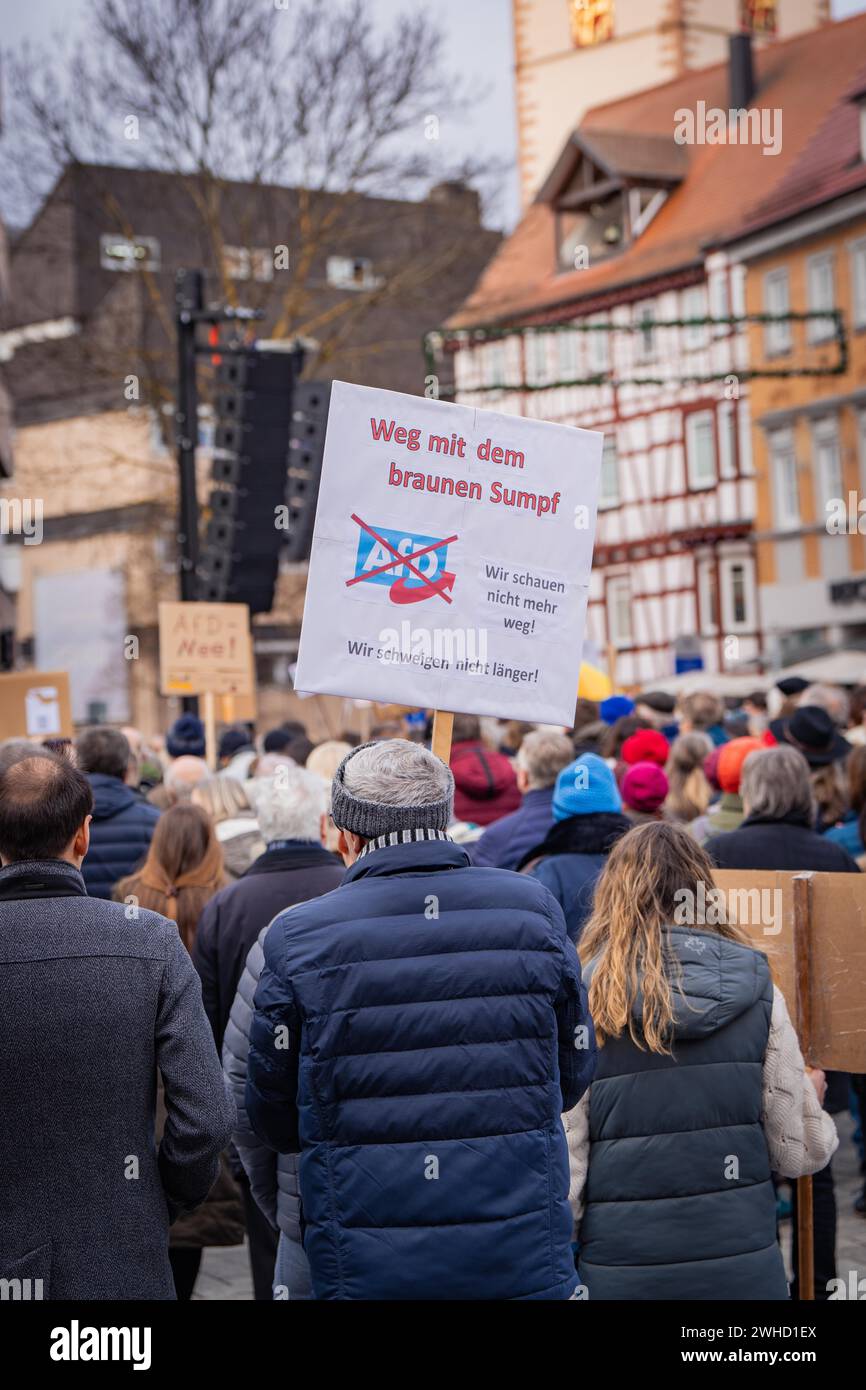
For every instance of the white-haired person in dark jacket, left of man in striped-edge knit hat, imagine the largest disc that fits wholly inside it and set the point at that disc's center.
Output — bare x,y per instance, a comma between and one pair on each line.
227,954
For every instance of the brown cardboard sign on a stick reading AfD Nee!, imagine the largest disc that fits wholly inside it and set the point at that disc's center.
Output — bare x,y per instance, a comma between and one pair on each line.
205,650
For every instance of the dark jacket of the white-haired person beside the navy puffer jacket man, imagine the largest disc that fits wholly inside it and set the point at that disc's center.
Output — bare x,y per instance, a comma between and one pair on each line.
234,918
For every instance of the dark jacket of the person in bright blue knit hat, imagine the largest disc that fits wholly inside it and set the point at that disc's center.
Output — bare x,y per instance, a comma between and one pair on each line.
571,860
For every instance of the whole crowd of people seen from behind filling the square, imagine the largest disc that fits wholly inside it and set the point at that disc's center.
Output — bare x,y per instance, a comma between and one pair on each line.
418,1031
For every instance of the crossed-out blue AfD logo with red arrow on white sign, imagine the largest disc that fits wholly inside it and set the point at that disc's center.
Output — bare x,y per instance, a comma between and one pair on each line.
414,568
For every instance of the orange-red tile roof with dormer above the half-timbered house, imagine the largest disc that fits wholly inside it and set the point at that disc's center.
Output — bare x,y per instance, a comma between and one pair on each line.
725,184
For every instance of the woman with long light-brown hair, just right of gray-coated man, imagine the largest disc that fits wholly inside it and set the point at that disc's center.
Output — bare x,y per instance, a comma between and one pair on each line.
180,876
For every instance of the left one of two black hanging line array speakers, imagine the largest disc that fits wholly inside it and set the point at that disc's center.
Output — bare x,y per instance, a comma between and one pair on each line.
251,465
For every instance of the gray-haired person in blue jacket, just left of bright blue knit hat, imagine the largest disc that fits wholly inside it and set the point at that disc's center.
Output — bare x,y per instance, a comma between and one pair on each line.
539,764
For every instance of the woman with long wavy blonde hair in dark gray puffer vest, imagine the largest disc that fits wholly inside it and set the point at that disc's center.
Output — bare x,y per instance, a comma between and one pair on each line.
700,1095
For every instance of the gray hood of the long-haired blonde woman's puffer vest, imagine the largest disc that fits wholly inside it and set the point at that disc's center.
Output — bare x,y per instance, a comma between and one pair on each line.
719,981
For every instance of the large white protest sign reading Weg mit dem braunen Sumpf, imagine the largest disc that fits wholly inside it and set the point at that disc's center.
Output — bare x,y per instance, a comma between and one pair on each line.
451,558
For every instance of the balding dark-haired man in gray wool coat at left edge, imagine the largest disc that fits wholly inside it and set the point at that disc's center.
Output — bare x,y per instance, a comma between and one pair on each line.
95,997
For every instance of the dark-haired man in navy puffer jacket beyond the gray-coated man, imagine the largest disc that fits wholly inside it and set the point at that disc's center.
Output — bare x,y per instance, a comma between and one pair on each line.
123,821
